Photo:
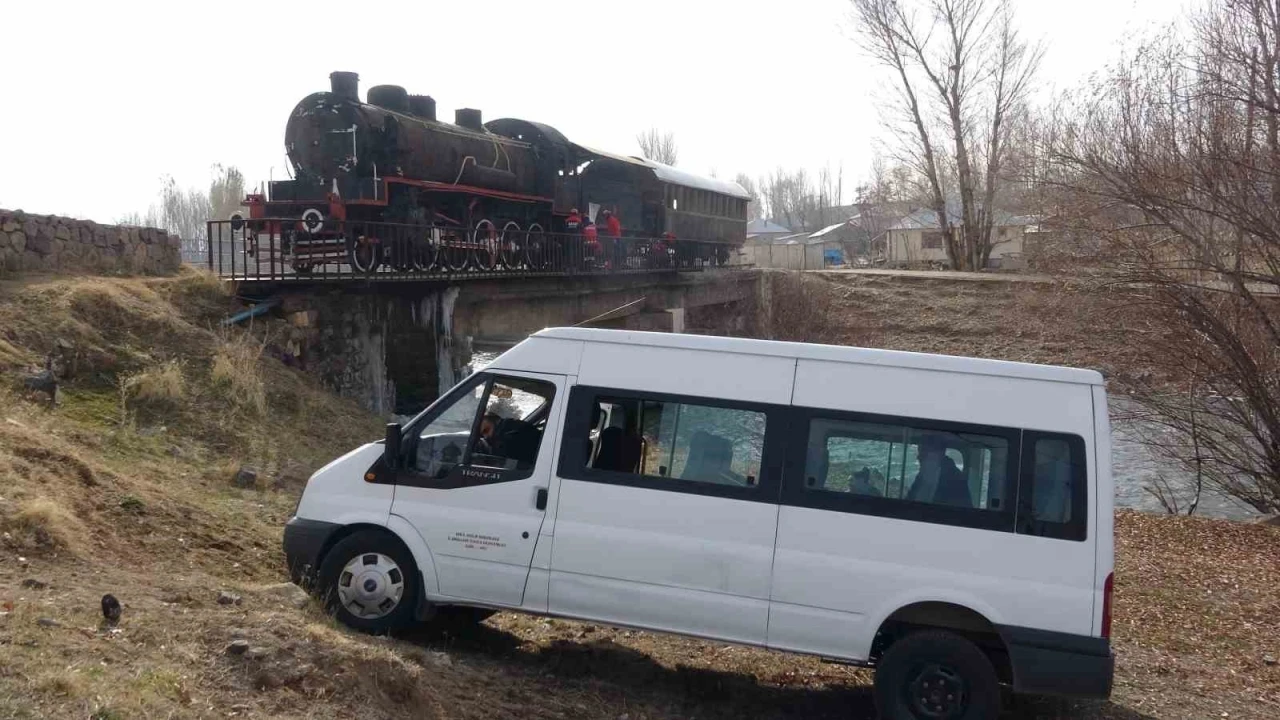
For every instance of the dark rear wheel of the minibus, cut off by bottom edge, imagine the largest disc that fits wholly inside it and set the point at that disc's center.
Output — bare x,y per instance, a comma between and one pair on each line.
936,676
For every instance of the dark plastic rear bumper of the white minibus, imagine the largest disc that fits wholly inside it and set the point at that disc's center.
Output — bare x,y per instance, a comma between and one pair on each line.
1060,664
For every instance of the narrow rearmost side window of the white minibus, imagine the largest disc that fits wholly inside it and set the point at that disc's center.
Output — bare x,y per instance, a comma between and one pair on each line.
1054,487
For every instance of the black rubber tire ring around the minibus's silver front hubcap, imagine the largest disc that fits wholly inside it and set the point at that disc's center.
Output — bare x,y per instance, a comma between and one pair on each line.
360,545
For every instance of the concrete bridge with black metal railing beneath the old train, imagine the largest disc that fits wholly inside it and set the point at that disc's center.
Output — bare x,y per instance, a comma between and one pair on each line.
390,315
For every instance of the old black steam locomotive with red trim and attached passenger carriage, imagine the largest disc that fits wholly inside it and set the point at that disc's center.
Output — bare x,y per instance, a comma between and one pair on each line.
468,184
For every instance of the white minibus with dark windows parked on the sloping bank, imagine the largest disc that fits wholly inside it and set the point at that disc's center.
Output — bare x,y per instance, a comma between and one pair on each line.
947,521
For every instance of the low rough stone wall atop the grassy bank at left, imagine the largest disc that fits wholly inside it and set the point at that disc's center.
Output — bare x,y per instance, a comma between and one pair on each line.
49,244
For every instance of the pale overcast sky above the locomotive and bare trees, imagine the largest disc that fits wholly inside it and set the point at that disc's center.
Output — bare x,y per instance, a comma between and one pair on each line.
103,99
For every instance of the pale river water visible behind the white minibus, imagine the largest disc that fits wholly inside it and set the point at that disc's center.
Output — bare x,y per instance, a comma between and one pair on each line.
1133,466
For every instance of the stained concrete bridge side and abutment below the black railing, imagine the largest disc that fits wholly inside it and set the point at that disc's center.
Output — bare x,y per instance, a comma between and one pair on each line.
395,348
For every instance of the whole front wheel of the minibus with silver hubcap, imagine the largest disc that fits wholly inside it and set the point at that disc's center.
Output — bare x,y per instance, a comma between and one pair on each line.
371,582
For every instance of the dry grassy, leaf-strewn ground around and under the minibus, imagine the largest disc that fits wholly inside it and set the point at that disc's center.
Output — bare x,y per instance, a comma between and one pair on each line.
141,504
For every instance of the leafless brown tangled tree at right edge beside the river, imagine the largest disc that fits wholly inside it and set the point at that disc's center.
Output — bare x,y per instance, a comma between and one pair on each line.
1174,161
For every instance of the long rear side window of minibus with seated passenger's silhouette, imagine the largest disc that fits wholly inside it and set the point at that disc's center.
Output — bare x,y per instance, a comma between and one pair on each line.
909,464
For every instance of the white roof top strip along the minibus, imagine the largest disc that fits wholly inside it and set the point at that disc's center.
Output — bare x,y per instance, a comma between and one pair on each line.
829,353
